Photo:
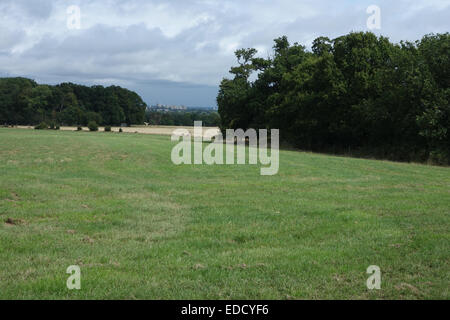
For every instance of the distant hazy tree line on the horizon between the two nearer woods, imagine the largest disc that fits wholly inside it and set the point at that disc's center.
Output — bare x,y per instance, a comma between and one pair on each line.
183,118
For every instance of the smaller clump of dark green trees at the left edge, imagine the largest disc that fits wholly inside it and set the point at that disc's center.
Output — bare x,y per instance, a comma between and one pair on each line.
24,102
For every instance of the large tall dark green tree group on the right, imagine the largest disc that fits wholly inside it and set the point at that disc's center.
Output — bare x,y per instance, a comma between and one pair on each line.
358,93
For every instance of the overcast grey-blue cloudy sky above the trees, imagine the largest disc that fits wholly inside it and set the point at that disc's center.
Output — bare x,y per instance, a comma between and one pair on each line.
177,51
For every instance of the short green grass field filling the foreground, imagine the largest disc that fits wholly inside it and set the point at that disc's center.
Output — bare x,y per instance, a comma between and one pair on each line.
142,228
